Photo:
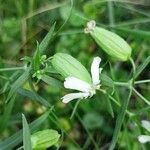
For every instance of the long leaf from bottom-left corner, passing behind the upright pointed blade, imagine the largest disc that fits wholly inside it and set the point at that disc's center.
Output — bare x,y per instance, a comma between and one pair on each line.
15,139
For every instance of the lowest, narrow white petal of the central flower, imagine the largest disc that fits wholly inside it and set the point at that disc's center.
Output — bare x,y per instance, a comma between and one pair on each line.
69,97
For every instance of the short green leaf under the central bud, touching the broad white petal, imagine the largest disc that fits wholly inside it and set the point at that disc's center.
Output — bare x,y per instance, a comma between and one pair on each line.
51,81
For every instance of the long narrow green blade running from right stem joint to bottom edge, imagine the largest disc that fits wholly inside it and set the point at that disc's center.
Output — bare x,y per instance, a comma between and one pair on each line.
119,121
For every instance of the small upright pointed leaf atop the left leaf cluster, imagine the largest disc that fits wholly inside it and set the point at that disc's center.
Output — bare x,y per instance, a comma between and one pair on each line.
36,59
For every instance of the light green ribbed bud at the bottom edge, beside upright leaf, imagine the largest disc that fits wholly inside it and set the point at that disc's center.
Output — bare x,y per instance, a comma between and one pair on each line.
44,139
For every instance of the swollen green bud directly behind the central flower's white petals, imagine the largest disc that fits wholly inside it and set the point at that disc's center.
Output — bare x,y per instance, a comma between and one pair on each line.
66,65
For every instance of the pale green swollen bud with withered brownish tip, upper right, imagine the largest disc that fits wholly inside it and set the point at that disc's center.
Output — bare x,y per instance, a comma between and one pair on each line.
110,42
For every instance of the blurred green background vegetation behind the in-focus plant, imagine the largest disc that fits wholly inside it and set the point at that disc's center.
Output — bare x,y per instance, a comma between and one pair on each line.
22,22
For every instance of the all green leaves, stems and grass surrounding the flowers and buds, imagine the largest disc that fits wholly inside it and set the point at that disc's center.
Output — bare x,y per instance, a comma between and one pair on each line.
30,85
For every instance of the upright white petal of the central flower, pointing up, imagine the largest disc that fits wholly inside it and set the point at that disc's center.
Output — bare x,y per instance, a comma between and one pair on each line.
95,70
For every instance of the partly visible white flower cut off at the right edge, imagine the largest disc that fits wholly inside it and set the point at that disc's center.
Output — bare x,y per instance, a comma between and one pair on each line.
145,138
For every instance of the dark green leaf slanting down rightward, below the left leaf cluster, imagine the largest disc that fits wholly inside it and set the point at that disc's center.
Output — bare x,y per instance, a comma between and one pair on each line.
33,96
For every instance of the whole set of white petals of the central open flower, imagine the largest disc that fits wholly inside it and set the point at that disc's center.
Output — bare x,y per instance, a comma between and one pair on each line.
86,89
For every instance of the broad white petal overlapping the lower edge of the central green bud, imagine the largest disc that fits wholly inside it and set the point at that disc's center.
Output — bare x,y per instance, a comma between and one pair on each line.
76,84
